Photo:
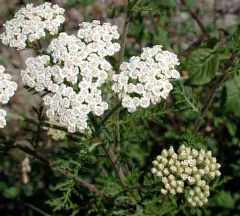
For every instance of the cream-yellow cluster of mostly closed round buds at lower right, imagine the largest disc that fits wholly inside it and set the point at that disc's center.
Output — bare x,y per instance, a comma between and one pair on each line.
188,170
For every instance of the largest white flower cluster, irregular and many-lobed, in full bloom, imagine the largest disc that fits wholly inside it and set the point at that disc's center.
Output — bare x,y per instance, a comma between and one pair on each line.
73,74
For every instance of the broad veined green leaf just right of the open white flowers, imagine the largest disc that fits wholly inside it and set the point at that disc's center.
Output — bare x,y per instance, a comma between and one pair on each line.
203,66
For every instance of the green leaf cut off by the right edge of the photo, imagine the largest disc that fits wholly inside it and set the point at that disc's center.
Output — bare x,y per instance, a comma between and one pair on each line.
232,103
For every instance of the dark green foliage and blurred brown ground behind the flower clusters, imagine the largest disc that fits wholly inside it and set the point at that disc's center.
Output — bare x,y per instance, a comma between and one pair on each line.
109,174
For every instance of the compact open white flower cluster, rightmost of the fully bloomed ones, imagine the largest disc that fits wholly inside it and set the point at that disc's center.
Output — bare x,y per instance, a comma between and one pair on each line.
145,80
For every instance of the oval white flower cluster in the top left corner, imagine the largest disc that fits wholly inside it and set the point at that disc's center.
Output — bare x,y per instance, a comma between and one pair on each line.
31,23
